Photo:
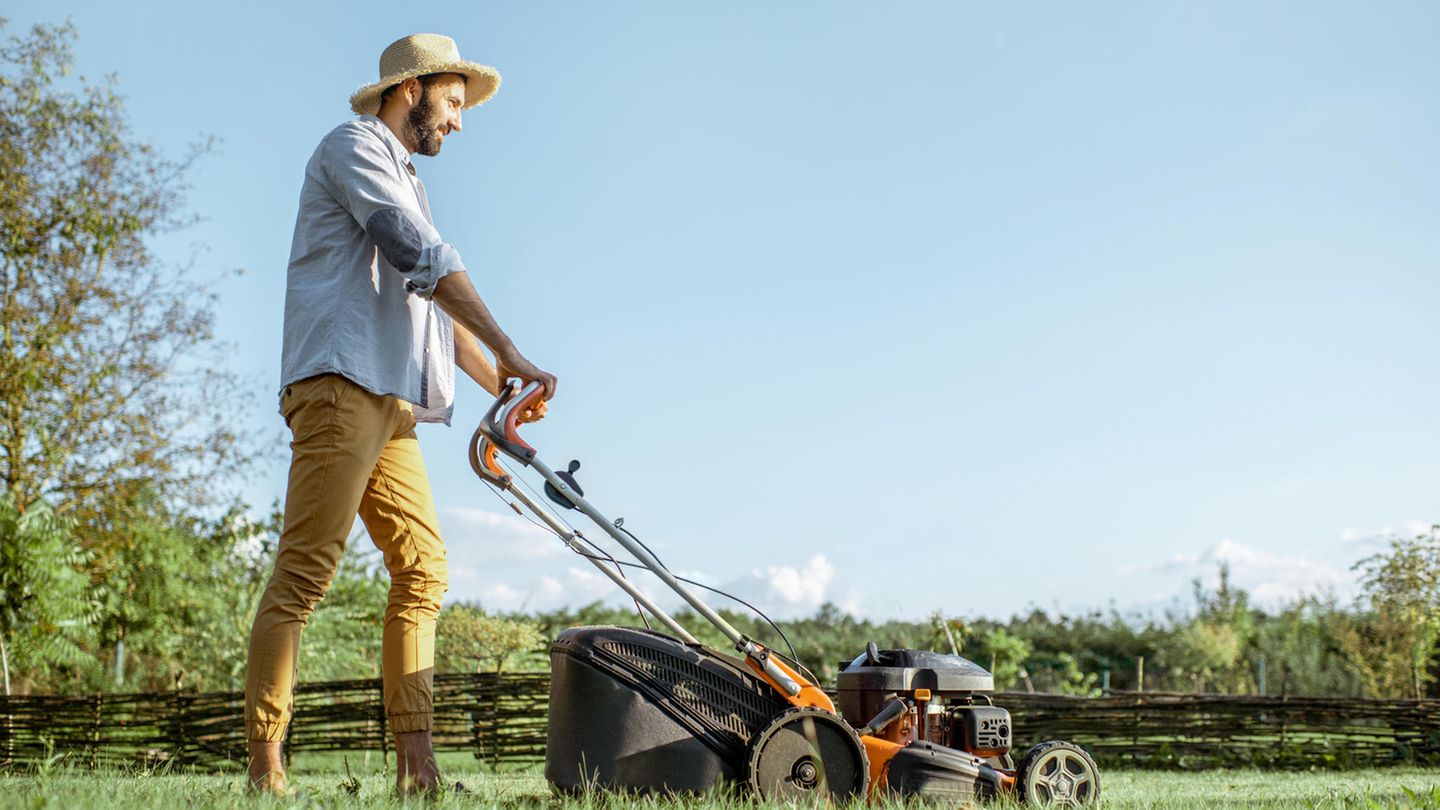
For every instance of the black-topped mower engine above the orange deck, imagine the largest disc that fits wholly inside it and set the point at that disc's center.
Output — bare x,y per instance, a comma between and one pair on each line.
947,697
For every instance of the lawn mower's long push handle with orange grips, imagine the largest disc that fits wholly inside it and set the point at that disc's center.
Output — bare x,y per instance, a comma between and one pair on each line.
500,427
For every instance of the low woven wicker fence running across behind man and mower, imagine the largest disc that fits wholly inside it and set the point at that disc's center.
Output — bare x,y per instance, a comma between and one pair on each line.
503,721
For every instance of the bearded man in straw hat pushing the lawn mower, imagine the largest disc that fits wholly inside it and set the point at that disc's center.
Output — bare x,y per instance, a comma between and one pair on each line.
379,311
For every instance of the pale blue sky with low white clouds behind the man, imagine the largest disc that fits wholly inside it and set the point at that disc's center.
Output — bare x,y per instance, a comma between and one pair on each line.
911,308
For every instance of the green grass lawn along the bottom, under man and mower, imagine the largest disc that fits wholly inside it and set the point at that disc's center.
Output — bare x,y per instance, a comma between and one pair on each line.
323,786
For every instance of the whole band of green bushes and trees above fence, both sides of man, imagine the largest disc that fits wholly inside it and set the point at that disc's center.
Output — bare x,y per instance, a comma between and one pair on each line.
166,603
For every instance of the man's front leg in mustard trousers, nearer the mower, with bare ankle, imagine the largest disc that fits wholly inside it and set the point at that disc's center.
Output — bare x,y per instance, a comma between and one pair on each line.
400,514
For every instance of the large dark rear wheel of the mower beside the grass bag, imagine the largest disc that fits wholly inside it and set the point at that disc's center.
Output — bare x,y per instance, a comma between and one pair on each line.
809,755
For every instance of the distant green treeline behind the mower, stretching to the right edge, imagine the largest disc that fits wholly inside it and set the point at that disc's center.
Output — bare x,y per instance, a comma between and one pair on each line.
1382,646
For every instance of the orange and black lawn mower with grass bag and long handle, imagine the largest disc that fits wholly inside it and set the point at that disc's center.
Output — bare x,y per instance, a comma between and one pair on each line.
642,711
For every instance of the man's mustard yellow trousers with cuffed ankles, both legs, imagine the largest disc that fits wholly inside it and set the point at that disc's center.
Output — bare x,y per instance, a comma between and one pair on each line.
354,452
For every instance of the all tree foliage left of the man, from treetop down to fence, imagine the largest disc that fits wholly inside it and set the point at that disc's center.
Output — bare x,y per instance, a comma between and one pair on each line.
116,437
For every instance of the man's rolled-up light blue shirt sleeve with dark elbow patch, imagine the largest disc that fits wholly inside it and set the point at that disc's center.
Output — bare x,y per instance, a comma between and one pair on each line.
361,174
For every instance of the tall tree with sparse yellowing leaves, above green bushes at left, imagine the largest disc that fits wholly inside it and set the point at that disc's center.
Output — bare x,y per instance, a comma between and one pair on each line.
110,377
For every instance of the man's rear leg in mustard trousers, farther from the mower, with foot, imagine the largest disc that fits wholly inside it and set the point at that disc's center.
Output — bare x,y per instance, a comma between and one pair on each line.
339,433
